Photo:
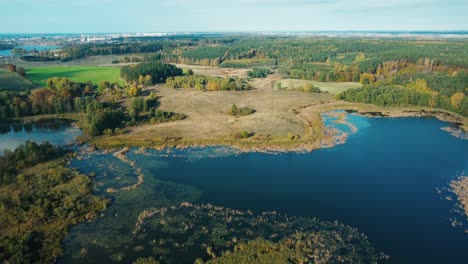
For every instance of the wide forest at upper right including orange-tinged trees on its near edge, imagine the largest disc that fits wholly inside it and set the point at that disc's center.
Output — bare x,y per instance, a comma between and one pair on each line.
329,59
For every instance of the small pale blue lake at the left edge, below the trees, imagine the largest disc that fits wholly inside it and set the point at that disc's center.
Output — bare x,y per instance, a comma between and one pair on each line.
58,132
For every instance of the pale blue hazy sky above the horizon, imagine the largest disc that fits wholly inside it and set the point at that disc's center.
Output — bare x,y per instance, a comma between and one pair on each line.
107,16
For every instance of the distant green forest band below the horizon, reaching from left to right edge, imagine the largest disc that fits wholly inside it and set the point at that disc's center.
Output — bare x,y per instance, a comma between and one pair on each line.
452,53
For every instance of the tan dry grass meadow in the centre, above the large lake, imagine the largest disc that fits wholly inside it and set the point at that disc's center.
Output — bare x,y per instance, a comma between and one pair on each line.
208,118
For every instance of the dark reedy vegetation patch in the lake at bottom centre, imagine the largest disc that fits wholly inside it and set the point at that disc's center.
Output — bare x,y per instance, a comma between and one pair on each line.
210,230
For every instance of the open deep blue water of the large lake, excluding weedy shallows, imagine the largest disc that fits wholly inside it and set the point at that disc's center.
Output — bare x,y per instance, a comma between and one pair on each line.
382,181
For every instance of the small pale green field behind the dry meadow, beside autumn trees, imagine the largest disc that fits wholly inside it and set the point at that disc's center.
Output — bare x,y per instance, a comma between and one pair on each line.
331,87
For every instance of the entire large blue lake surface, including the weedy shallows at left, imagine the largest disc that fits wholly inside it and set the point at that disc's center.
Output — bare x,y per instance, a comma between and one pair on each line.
388,180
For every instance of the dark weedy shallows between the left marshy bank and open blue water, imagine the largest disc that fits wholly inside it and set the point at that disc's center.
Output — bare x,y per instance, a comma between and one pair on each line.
111,234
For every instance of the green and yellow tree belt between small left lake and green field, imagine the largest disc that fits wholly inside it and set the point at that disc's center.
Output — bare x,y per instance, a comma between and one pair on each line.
100,117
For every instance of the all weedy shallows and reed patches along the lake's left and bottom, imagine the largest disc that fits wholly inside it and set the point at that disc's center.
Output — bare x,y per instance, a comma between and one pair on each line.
158,219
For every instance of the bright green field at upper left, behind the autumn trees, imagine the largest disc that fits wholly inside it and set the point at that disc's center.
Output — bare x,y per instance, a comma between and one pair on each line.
75,73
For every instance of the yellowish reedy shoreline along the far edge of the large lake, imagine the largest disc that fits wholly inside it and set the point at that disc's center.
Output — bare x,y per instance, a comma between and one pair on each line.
266,144
